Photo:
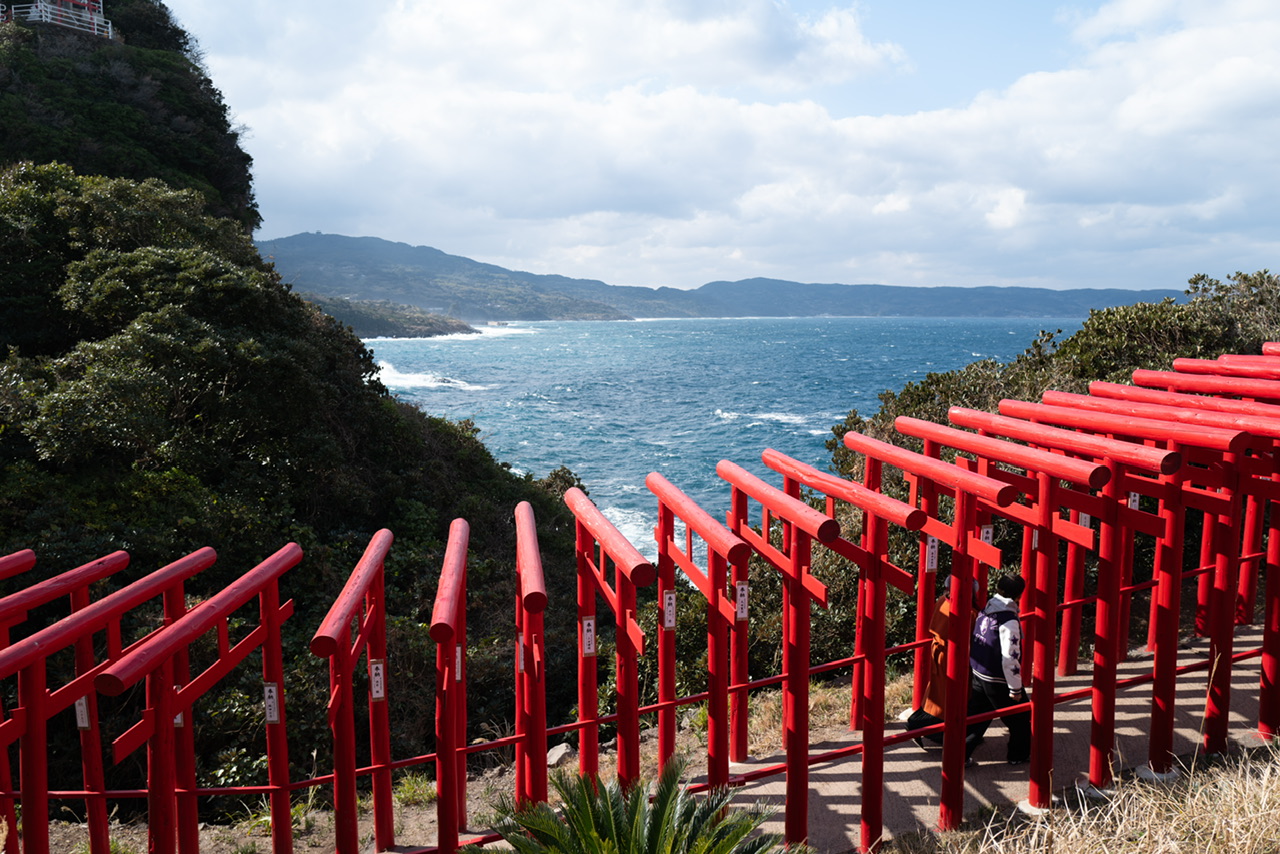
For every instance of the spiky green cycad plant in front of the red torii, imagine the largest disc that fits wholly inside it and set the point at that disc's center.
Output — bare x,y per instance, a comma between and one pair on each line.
606,820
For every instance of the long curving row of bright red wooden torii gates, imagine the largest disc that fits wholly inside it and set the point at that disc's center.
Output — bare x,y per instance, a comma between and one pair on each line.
1089,471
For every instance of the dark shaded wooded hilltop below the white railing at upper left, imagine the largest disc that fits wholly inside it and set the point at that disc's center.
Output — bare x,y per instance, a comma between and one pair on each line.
141,109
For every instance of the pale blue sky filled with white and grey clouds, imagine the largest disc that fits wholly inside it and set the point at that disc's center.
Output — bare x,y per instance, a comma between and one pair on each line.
675,143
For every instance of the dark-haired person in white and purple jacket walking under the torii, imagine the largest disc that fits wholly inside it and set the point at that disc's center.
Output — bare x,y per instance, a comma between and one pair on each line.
996,663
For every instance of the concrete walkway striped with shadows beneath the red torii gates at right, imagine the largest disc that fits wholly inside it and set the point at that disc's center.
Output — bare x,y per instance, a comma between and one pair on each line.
913,777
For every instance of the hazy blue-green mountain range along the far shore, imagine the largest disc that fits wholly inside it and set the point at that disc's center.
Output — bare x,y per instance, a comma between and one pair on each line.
369,268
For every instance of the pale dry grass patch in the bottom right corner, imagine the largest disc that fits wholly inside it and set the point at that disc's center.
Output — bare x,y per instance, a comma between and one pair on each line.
1228,806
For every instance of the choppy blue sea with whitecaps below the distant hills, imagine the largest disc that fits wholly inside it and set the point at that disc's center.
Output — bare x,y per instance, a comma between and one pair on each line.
615,401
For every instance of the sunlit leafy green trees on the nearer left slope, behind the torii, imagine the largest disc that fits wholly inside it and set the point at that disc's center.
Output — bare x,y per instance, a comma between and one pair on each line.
161,390
